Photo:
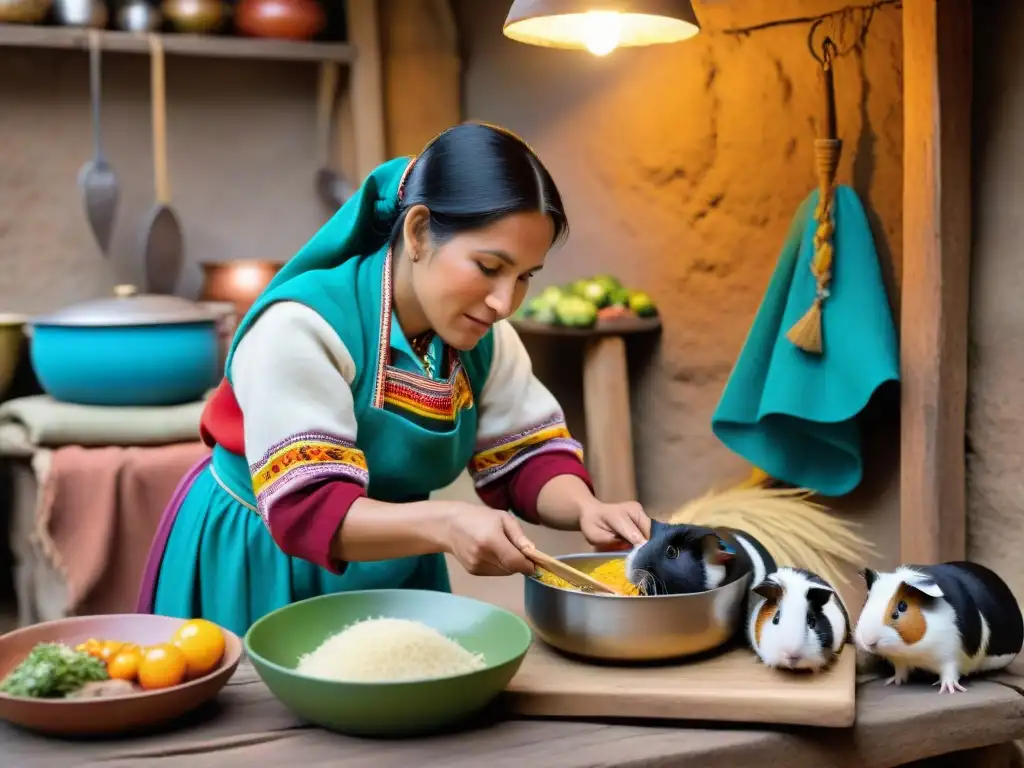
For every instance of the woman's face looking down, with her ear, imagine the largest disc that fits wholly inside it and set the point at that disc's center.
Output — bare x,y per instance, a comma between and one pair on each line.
475,280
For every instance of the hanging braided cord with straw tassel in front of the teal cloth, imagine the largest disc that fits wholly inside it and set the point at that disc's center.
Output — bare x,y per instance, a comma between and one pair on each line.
806,333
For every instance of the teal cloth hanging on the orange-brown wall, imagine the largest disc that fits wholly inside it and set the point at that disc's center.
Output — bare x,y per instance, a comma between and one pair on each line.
792,414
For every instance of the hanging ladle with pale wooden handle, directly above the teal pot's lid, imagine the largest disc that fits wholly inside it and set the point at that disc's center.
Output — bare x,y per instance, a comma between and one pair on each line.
163,245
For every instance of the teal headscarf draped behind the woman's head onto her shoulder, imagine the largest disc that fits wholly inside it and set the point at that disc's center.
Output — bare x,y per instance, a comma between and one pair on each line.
361,227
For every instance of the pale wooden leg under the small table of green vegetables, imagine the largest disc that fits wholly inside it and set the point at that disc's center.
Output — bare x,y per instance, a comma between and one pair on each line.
607,410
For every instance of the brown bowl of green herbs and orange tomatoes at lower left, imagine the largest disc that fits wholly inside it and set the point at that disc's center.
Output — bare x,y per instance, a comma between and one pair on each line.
112,674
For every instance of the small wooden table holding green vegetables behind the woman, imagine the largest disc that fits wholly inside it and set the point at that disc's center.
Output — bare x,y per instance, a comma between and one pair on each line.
606,398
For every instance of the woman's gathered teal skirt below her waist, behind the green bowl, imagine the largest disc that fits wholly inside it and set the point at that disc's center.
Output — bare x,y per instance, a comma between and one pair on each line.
215,559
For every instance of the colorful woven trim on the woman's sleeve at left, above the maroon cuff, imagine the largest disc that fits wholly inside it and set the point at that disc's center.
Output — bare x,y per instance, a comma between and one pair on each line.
303,459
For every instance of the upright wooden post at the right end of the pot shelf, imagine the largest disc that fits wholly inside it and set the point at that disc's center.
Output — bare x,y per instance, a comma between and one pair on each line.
366,88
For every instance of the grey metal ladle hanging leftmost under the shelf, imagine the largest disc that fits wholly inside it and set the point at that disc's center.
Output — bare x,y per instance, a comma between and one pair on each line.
100,186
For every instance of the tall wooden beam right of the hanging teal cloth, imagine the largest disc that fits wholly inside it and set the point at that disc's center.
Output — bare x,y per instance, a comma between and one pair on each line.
936,278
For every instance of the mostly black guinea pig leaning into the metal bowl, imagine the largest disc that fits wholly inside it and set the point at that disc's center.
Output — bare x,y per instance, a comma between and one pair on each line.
680,560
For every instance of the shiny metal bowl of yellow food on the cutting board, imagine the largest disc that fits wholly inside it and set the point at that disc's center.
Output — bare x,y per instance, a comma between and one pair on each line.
633,629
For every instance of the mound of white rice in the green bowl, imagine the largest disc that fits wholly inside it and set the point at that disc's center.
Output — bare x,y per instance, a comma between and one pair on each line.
385,651
